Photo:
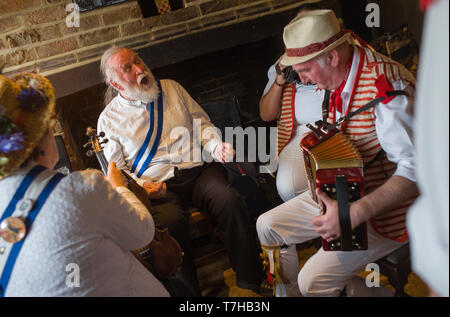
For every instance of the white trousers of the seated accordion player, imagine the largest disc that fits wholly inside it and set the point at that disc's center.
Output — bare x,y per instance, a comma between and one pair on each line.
326,273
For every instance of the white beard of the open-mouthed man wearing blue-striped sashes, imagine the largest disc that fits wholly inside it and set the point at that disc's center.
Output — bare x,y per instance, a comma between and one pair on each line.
144,93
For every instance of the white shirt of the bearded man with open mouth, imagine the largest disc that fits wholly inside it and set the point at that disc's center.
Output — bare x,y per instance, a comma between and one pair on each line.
126,123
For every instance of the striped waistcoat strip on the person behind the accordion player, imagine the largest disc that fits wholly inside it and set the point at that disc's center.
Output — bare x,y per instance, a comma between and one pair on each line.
286,120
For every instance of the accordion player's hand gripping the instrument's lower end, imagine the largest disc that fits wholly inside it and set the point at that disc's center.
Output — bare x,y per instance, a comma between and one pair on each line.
327,225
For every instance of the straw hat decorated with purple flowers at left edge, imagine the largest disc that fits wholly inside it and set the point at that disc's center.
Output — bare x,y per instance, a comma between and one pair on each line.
27,105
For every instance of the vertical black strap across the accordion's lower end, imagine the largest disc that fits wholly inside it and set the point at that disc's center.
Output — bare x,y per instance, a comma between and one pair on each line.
344,212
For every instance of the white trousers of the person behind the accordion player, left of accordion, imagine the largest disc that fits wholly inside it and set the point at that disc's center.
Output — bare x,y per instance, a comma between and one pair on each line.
291,174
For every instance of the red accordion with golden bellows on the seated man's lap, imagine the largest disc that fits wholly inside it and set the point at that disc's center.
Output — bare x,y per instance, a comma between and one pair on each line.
334,166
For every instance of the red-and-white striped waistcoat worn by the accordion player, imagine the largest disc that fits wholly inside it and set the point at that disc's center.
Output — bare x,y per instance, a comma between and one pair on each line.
361,130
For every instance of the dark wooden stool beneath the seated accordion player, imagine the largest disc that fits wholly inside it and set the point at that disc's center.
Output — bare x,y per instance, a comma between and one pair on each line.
396,266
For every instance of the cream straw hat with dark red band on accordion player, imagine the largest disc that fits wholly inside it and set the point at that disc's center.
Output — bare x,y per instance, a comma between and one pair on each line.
311,34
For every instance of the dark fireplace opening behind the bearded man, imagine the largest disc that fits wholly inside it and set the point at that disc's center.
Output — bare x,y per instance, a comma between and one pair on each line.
240,72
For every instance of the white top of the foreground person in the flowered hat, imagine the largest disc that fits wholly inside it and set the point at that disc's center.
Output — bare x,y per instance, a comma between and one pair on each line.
85,222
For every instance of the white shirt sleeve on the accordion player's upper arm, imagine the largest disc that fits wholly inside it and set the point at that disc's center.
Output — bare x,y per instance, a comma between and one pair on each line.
394,125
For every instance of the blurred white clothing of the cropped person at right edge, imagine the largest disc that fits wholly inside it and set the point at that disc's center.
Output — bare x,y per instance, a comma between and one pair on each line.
427,219
